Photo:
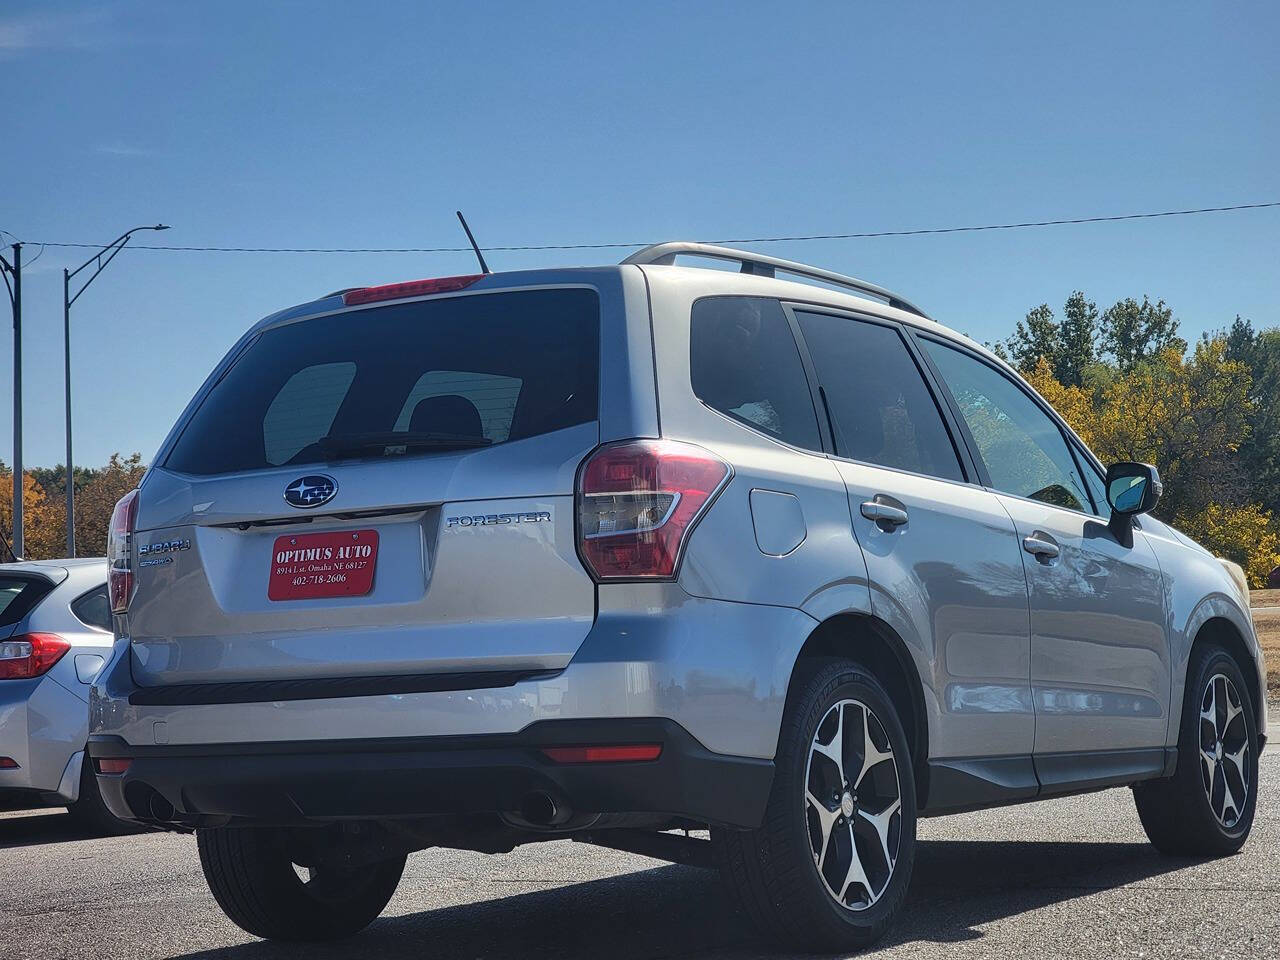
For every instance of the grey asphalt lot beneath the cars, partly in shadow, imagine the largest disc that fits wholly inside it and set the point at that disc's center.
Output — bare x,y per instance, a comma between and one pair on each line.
1062,879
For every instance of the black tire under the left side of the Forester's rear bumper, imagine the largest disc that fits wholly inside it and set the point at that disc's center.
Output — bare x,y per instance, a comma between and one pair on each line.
257,885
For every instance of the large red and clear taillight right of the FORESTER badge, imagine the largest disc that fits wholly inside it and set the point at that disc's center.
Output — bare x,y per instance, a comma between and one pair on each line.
637,504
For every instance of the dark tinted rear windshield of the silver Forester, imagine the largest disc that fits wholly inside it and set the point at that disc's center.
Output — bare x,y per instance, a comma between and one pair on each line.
409,378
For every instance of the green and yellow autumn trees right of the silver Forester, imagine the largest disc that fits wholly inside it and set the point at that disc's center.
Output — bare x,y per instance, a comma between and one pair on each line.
1206,415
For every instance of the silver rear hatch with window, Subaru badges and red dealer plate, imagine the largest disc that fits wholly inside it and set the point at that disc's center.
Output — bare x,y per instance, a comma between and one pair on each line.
377,493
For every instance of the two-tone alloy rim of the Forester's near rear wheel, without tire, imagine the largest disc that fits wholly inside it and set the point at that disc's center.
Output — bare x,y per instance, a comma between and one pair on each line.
853,804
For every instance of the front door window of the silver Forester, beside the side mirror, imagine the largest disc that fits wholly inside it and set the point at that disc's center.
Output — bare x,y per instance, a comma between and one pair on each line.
1022,446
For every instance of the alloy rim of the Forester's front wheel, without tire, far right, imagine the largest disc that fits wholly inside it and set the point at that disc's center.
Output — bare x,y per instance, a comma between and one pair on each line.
1224,751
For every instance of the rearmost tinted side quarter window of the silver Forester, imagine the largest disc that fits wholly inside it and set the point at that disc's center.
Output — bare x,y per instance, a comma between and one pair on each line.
746,363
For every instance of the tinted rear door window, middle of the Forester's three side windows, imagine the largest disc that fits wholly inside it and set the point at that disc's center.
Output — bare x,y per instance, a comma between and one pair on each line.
881,406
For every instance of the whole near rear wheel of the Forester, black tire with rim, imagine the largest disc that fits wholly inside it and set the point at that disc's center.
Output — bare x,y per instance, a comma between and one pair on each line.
830,867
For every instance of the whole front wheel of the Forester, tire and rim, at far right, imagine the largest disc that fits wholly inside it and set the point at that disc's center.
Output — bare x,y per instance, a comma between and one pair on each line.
1206,808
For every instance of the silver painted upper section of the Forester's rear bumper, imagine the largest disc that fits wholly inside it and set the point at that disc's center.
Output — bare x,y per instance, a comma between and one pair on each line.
719,670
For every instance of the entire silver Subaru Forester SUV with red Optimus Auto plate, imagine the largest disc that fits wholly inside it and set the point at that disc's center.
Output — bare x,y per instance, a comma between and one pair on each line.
636,552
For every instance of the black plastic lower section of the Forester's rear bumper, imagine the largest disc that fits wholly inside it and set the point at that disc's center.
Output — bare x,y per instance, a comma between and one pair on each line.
318,781
